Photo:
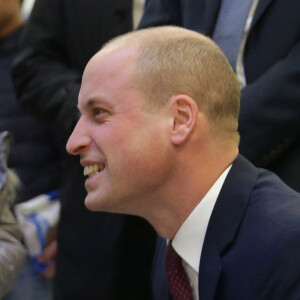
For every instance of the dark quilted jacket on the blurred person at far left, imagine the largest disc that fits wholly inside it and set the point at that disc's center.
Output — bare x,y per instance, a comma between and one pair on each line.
36,153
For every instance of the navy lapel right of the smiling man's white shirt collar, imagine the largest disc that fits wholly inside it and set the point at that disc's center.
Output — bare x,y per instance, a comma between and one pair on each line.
224,223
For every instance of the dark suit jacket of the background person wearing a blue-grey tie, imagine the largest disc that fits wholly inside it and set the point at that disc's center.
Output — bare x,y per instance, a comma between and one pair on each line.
270,107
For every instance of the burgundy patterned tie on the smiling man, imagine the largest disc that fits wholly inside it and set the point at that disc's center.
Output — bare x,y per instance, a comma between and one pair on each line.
177,279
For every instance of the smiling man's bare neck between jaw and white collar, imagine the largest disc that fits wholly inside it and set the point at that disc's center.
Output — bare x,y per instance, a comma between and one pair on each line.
185,192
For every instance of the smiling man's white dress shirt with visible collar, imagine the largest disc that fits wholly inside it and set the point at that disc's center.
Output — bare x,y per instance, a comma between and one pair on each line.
188,241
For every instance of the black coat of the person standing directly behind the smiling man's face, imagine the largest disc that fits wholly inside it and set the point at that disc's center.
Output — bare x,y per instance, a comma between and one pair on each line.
100,255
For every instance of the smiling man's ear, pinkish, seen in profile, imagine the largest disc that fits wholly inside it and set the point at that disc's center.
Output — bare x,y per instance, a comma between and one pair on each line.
185,114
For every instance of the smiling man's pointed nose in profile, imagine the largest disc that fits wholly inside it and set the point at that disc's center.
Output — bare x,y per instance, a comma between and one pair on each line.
79,139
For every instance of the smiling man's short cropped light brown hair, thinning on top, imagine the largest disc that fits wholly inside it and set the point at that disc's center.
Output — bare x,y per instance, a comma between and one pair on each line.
173,61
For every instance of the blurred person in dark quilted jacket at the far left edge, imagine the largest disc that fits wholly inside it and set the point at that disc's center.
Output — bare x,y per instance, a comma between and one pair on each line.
36,153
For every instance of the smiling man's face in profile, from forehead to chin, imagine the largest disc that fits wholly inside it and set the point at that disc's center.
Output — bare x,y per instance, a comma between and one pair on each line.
125,150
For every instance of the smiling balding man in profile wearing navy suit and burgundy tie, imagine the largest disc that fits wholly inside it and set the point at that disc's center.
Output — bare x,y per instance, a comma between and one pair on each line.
158,138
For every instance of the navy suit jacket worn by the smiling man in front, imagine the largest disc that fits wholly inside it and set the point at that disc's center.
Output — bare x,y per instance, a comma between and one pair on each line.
251,249
